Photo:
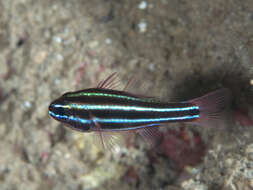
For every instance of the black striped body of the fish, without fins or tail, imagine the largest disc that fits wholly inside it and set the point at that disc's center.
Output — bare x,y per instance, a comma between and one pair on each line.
118,110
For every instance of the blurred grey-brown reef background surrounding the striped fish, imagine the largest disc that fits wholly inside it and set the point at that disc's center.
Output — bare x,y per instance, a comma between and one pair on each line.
178,49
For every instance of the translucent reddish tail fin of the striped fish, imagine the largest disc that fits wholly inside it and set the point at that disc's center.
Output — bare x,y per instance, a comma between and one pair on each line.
212,107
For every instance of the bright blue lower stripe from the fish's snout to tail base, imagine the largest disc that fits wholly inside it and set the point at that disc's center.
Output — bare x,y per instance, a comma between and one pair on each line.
118,120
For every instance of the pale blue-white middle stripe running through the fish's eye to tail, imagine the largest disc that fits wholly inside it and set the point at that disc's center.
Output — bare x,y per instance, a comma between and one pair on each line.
124,108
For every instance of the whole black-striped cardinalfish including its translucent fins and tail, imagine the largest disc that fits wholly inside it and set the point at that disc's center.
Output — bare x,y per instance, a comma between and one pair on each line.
109,112
